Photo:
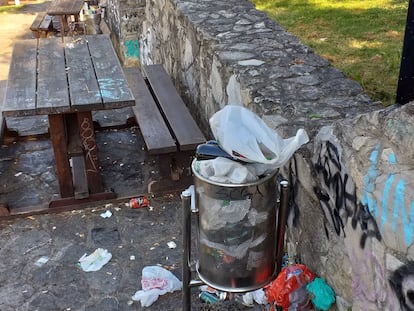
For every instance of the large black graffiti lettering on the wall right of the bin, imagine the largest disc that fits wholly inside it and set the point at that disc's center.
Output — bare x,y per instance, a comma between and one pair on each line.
337,196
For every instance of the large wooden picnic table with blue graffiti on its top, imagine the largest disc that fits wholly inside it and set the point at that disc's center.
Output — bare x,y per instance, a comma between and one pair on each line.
67,81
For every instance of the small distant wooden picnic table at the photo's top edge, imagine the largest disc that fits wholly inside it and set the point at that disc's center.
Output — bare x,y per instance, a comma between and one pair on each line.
64,9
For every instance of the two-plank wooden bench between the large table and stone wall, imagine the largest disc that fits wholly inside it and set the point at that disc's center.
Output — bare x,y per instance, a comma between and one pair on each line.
167,126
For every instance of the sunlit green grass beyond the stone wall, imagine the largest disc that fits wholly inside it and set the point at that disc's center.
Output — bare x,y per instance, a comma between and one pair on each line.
363,38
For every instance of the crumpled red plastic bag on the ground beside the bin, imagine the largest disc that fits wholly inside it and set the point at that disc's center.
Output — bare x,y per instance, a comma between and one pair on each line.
288,289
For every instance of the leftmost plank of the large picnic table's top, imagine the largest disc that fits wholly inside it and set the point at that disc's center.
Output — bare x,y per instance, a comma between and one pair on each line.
20,99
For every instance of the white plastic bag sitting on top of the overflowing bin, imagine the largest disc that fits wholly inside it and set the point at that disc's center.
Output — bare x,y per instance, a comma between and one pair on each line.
245,136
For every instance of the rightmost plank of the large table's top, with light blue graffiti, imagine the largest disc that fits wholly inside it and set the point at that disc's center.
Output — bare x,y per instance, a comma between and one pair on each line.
111,79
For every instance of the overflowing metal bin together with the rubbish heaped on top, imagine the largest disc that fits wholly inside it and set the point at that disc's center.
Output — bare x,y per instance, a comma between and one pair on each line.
236,194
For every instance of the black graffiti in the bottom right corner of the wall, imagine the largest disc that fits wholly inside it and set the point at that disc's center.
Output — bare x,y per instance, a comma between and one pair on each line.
402,283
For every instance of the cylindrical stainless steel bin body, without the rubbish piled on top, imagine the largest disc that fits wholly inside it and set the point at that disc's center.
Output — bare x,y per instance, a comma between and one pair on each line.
236,233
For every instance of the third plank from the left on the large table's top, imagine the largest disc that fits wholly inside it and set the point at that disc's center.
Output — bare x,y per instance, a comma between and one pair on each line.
84,90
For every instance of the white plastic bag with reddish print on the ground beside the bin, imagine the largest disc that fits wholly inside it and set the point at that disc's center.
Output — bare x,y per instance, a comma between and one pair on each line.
156,281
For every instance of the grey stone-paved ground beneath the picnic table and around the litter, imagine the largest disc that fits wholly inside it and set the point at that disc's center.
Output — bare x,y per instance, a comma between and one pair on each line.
40,252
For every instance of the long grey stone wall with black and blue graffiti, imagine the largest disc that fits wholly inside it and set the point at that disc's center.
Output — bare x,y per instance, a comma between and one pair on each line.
352,214
